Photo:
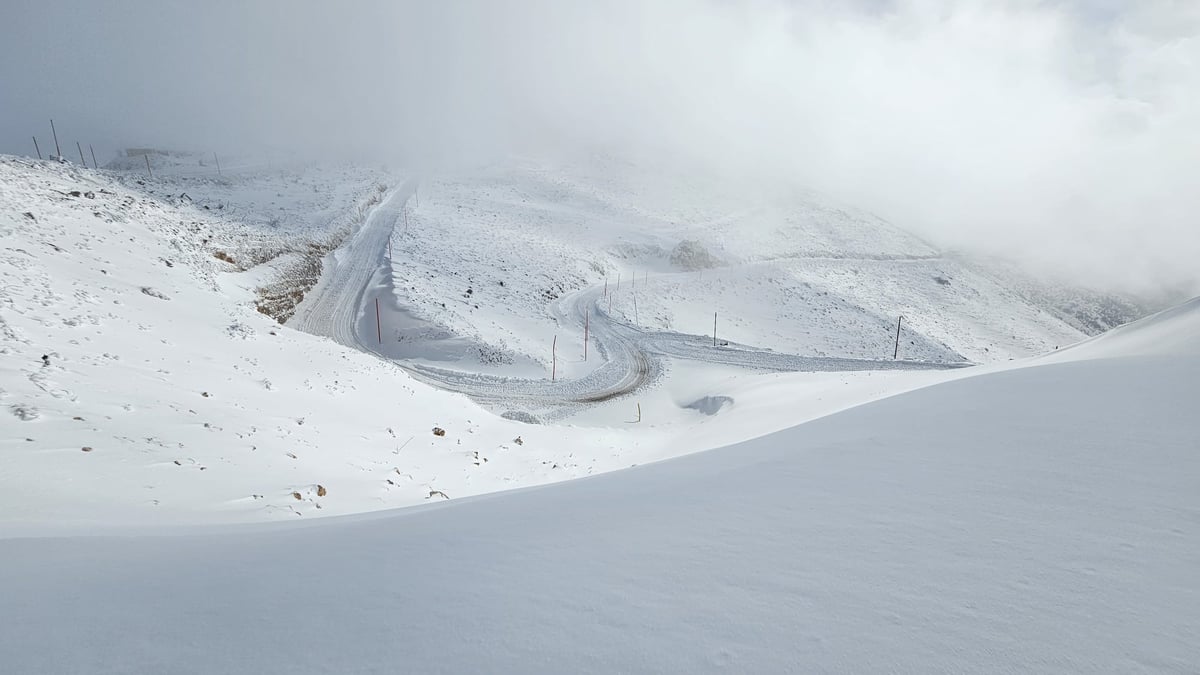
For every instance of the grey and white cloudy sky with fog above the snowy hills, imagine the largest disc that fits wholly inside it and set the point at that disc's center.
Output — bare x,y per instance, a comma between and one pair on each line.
1064,133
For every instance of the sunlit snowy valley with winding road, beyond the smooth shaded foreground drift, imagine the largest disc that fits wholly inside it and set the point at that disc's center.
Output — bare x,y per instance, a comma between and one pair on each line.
167,381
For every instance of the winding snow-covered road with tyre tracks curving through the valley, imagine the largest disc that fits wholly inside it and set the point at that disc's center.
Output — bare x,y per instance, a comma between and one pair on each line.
631,356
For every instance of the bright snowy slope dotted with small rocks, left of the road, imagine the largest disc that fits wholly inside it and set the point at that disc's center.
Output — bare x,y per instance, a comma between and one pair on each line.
165,396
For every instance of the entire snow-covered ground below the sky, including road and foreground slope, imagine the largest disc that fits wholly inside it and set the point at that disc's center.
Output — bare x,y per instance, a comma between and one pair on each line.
187,357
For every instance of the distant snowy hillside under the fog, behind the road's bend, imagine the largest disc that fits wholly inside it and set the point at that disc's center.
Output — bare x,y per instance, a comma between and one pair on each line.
485,250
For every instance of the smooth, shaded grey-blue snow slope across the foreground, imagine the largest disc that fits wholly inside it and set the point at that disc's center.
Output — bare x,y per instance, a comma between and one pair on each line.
1036,519
